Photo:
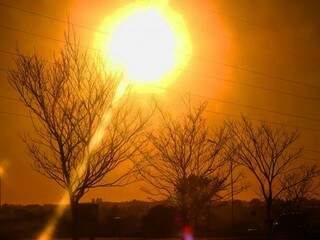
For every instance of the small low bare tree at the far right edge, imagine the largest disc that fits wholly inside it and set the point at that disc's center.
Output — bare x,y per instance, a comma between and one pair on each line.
306,186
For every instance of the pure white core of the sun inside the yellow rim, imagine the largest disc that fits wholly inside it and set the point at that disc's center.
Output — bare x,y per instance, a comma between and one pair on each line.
145,44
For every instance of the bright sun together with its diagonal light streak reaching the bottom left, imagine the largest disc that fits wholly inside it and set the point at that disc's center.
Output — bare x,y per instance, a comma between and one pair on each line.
148,43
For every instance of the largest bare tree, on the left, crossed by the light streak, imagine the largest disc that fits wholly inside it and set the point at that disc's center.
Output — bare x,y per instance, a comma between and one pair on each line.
81,133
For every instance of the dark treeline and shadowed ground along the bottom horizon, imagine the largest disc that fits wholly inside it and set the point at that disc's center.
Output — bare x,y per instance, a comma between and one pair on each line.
155,219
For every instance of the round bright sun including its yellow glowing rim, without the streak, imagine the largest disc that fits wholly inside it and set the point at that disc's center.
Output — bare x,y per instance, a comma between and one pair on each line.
146,41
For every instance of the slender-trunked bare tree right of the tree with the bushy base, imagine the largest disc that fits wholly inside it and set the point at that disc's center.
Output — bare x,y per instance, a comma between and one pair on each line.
269,154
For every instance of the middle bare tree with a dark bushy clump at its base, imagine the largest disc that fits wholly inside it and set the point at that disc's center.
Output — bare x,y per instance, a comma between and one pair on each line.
182,164
